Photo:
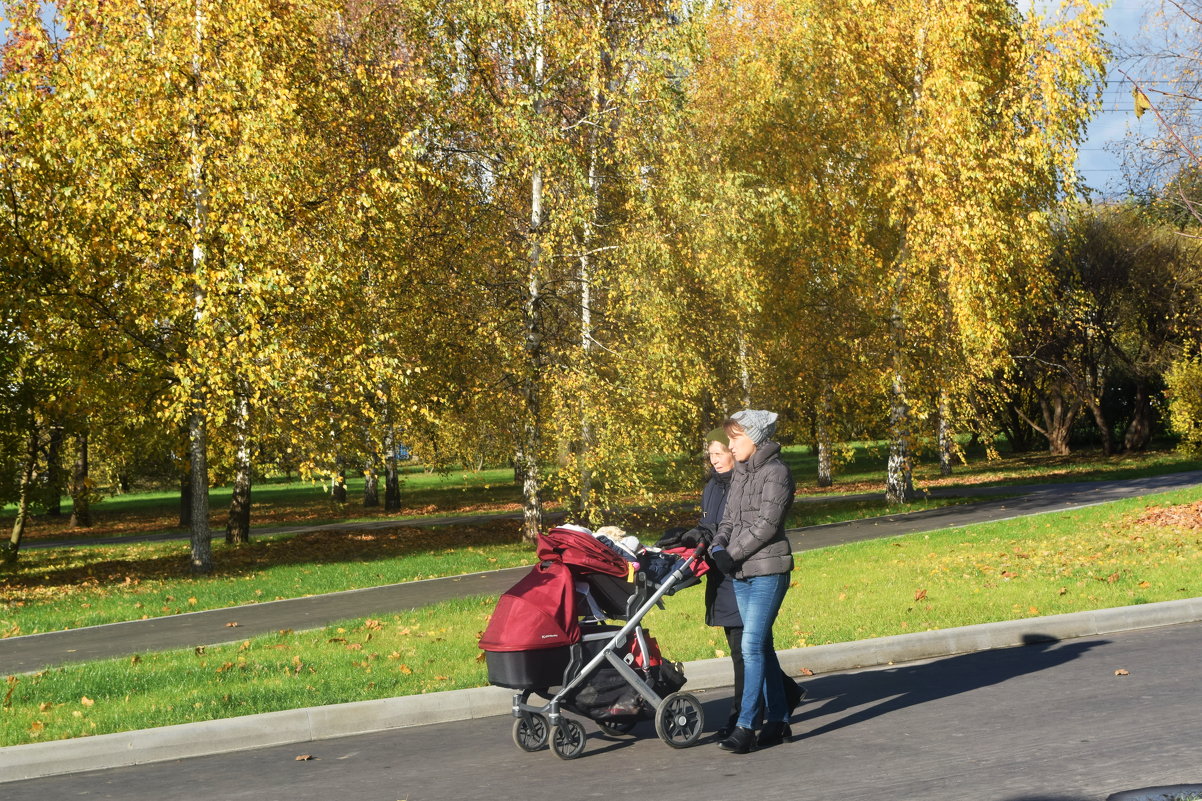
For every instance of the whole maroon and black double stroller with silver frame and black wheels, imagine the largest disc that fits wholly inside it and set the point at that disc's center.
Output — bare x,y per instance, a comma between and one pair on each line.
548,637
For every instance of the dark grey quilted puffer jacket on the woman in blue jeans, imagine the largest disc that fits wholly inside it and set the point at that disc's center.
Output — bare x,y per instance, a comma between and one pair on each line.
753,527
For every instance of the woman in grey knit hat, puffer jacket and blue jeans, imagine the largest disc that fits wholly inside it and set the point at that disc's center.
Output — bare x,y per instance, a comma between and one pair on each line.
752,549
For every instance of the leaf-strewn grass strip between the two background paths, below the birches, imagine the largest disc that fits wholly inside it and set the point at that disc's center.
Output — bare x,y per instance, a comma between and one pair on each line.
66,589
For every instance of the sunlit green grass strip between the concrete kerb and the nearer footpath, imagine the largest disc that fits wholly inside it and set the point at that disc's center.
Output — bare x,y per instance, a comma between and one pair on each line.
1085,560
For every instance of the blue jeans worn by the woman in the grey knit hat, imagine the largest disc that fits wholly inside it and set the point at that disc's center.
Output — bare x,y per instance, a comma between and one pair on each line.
759,600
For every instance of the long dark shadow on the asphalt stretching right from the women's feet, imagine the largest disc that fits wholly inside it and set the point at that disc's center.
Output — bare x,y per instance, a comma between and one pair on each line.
889,691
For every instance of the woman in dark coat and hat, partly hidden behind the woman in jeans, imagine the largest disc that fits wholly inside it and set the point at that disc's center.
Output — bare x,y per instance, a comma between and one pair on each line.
722,609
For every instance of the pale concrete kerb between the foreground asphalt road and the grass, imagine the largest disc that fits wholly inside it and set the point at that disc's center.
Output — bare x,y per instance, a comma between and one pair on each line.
38,761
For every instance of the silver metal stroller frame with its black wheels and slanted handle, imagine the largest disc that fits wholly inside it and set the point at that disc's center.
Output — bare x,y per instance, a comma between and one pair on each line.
680,719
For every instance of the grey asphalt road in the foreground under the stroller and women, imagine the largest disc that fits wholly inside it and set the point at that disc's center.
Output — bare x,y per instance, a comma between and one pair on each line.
1050,722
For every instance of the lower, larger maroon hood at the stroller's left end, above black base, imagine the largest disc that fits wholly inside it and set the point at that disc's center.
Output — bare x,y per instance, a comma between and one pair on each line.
537,613
